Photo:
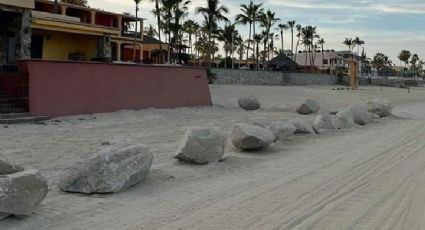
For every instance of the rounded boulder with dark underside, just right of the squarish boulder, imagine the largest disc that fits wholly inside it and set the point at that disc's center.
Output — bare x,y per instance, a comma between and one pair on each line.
251,137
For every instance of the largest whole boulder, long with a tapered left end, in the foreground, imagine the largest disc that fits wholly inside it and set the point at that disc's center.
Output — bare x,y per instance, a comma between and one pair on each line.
114,169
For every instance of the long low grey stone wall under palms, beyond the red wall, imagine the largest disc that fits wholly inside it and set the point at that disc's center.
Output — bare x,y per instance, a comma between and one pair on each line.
246,77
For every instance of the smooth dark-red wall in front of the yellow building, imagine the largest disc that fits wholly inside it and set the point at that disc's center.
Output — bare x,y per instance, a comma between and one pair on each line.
71,88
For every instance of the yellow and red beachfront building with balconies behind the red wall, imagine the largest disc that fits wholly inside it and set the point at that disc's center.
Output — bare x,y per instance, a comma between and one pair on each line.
41,30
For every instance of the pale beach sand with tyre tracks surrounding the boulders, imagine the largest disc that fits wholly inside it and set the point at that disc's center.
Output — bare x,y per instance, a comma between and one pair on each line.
369,177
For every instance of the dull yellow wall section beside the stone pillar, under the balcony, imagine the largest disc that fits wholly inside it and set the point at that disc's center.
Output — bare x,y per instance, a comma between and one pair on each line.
57,46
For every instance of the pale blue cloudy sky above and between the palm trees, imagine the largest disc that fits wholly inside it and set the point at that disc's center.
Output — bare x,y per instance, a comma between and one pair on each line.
385,25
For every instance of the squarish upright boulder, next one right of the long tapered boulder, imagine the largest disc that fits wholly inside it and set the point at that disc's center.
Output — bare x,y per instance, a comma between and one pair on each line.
201,146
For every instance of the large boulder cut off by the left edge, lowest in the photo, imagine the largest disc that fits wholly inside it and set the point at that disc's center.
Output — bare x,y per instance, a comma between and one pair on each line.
21,192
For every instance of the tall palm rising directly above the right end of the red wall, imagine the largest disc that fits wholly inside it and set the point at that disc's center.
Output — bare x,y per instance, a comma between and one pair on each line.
213,13
